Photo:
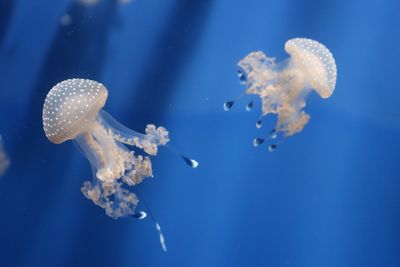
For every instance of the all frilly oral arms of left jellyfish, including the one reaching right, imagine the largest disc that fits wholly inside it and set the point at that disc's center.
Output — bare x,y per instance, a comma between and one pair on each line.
103,143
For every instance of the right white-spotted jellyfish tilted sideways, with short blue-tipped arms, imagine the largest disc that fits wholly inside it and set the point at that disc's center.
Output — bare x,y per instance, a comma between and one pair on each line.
283,86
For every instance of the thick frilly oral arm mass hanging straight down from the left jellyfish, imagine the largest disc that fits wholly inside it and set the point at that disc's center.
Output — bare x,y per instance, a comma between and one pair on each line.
113,165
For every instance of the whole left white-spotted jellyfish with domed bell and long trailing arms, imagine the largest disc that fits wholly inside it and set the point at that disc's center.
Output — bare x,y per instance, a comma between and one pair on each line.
73,111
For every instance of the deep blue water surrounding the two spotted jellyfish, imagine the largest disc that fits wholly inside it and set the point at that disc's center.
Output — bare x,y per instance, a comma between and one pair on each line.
329,196
